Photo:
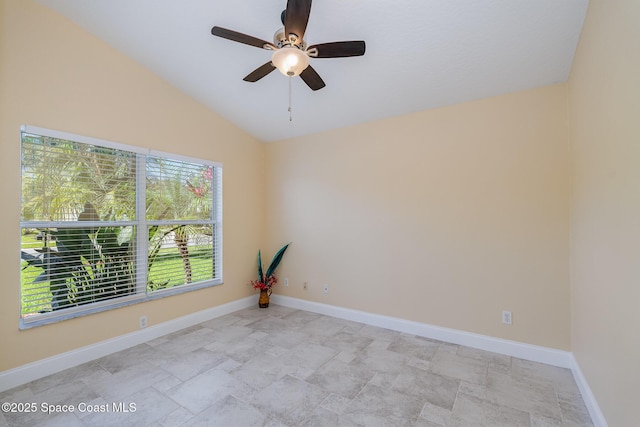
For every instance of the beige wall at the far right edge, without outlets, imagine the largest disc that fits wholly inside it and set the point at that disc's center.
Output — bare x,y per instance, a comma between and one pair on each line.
604,105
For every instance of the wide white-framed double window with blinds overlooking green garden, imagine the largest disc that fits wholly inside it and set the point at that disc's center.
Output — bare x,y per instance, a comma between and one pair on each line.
104,225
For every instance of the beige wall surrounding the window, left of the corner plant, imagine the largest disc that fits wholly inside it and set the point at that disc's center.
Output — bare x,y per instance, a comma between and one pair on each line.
55,75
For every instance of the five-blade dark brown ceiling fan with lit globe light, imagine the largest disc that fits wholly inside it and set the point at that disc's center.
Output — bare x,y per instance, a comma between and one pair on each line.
290,52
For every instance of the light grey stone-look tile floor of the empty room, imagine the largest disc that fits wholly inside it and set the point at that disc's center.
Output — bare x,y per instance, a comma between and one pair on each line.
285,367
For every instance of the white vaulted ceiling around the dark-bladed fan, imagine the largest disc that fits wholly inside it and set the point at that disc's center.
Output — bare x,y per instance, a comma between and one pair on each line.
421,54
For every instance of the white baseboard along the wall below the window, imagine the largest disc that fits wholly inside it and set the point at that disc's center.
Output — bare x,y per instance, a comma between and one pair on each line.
41,368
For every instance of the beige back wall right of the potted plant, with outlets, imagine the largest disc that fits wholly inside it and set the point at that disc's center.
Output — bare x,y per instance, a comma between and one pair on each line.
447,216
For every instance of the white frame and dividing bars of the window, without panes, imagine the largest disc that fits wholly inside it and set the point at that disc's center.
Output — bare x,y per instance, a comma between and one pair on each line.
141,223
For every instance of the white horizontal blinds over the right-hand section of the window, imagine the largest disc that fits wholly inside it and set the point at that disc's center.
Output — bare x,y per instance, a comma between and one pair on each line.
180,219
